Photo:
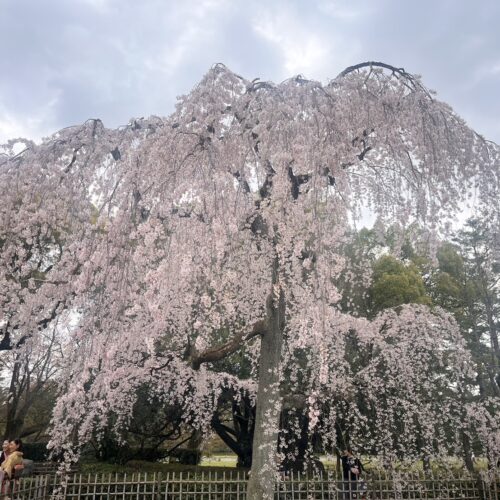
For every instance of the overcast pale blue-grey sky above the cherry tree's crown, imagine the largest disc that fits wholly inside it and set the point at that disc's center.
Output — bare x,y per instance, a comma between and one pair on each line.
63,61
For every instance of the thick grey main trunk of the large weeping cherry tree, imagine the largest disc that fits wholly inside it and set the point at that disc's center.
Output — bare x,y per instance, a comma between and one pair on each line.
265,442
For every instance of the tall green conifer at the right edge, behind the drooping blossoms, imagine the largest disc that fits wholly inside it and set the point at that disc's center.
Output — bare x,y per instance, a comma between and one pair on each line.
465,282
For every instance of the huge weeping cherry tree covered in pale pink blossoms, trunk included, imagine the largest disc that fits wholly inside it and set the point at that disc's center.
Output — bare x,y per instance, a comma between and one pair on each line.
171,243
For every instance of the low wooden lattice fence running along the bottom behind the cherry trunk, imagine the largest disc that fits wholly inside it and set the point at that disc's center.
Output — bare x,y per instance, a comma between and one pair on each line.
211,485
